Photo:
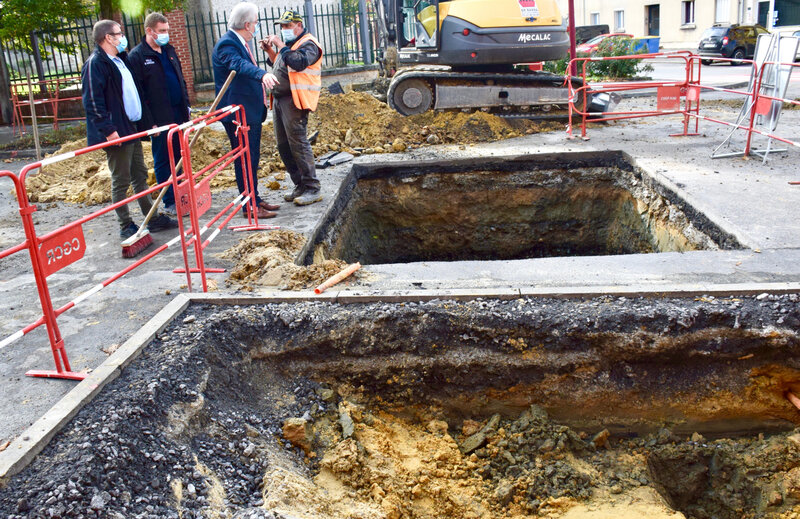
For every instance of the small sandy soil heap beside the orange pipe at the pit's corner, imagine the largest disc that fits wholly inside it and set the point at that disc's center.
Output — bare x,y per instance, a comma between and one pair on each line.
267,259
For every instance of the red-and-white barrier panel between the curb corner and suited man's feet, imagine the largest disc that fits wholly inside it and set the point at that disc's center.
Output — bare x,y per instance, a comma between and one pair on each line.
194,193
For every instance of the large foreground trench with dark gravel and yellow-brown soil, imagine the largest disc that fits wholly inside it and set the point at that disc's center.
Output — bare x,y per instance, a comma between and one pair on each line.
602,407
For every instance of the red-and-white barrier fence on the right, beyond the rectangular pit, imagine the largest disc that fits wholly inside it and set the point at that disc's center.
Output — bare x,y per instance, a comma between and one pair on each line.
680,97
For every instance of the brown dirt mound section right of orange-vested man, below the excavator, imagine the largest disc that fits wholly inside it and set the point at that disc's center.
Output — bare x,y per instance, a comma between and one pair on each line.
357,121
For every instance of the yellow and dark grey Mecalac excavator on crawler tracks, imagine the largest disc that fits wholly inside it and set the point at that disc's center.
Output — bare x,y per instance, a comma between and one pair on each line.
473,54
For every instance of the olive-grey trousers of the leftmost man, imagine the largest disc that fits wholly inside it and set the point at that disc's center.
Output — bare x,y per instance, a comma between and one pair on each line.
127,166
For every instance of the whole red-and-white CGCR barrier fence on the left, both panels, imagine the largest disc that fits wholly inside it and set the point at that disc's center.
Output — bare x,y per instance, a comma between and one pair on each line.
62,247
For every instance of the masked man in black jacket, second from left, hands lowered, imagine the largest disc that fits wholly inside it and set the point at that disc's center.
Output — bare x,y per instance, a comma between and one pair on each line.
156,67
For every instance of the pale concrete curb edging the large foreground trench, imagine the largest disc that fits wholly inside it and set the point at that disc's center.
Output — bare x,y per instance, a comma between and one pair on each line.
22,451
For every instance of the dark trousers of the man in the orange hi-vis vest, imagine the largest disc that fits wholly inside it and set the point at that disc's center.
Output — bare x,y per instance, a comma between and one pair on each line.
290,135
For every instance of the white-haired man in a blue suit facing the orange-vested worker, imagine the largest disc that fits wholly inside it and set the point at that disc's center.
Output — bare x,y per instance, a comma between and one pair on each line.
248,88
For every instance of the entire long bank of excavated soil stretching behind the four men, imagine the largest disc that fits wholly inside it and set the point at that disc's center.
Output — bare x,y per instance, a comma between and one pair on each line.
354,122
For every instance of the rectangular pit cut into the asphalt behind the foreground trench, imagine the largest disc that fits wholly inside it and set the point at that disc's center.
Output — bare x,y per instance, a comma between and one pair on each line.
501,208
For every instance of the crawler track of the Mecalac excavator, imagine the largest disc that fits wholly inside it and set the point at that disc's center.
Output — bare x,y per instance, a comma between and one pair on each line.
522,95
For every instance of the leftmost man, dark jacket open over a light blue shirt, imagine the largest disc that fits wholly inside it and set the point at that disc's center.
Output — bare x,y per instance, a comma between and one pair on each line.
112,100
